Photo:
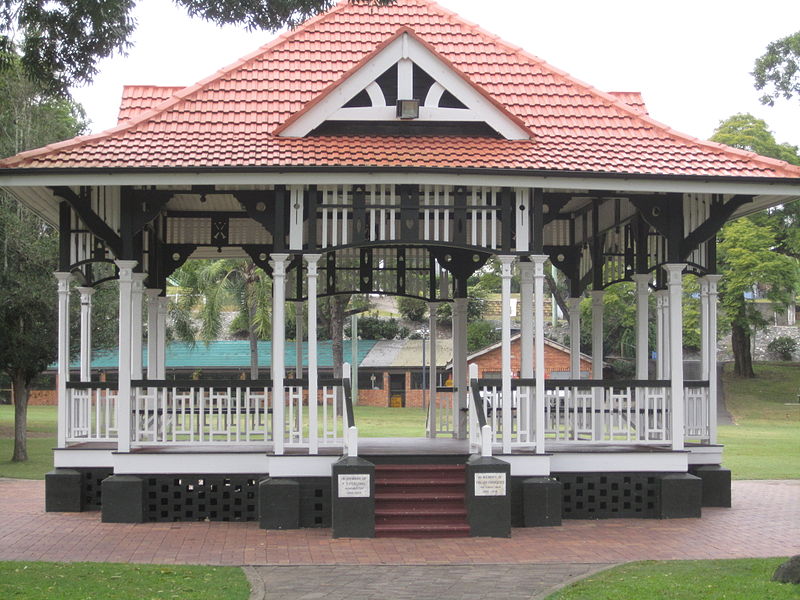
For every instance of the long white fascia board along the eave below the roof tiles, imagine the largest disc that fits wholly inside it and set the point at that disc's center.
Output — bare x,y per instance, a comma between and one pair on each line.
786,191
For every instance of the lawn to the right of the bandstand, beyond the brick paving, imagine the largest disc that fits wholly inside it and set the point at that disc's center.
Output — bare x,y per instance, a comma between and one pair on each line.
765,441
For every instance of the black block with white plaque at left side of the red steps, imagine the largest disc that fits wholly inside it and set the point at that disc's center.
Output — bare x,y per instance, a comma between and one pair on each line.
353,498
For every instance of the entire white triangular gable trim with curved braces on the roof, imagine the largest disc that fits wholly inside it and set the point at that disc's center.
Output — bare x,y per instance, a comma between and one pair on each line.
405,50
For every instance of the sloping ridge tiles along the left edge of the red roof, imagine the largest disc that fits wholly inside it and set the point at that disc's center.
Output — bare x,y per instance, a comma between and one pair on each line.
182,94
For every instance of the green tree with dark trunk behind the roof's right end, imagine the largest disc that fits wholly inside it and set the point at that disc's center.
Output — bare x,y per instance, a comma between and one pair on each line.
762,245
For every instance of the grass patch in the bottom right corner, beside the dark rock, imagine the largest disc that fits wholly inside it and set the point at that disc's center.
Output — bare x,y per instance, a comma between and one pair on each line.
742,579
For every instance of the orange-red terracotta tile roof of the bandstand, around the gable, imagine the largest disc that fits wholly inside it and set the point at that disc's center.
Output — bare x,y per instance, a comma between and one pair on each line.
230,118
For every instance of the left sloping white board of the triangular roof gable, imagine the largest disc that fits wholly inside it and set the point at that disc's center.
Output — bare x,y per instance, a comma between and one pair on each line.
369,72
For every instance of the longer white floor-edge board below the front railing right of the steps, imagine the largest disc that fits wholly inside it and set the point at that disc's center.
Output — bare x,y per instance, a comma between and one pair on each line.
618,462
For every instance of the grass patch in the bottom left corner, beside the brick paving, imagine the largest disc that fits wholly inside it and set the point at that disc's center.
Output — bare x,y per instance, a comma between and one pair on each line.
112,581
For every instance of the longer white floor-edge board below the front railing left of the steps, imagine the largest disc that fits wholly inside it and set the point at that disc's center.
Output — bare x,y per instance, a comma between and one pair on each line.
209,462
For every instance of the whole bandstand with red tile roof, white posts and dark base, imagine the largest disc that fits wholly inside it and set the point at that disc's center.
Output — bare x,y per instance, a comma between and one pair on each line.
392,150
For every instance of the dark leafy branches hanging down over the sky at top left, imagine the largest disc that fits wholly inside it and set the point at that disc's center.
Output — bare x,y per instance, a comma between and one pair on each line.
62,40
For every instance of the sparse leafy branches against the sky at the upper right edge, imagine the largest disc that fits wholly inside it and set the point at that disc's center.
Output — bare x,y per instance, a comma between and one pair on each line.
778,69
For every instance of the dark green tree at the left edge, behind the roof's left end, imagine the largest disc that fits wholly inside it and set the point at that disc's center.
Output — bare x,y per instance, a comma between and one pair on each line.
29,117
